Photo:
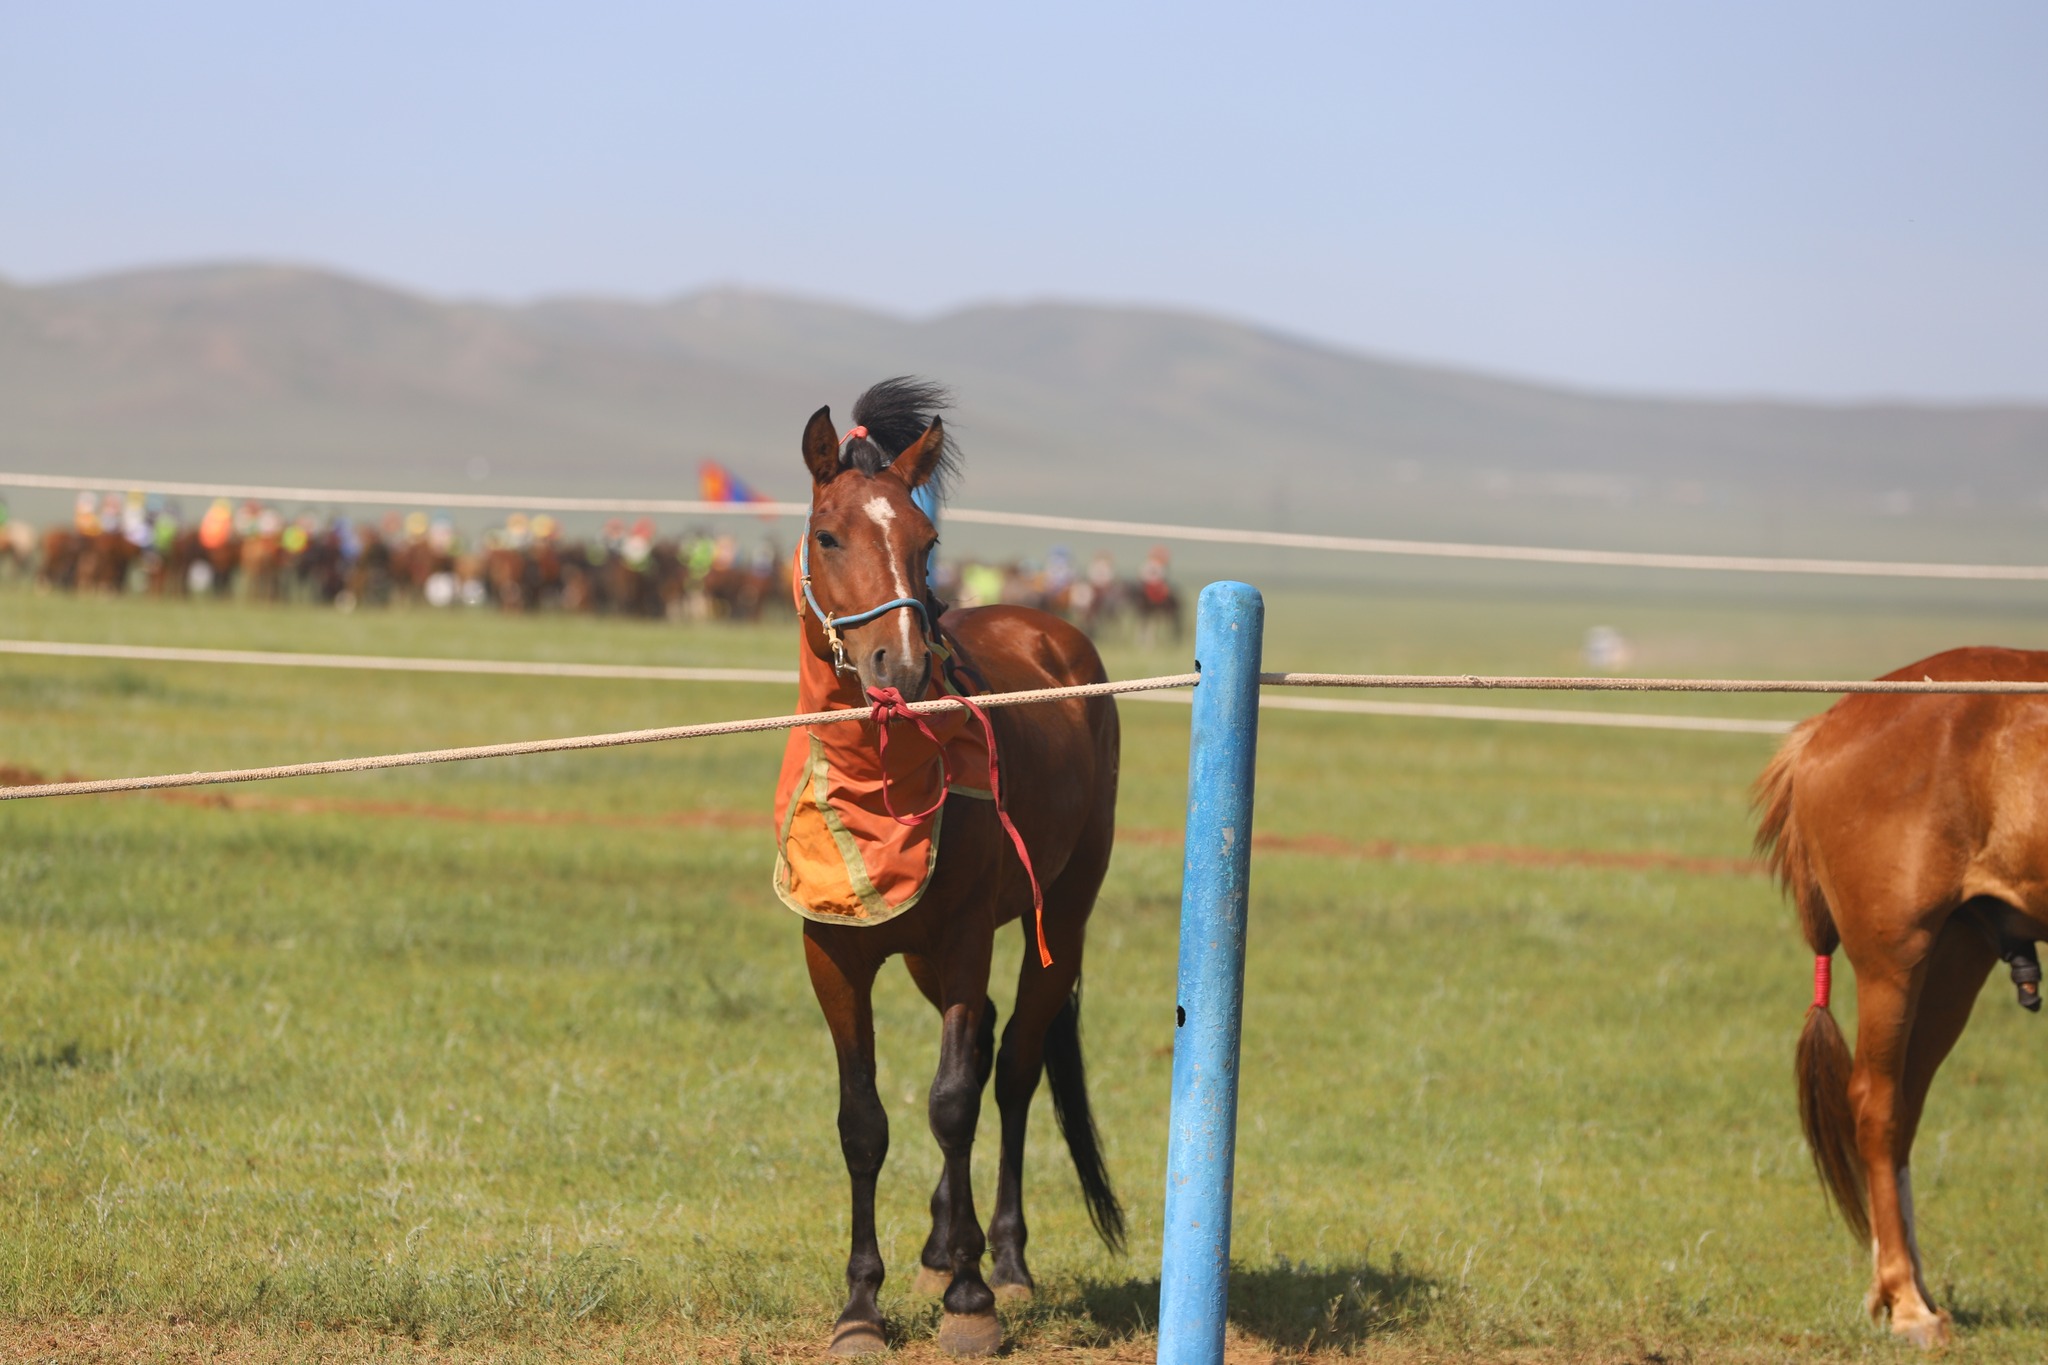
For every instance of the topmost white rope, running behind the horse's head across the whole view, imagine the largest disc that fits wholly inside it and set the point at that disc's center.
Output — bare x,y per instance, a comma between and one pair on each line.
1146,531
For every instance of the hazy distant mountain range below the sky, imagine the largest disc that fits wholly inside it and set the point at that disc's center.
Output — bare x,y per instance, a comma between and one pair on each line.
296,376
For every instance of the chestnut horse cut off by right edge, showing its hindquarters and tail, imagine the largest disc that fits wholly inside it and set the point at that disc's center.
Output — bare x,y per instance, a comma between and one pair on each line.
1910,832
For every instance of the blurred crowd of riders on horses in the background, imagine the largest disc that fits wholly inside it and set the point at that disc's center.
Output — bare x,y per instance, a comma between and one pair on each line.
253,552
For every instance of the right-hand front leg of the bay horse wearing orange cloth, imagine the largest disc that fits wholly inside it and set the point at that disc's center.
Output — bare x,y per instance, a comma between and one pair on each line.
970,1325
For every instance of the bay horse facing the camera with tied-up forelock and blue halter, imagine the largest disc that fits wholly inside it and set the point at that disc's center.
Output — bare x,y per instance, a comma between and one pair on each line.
869,545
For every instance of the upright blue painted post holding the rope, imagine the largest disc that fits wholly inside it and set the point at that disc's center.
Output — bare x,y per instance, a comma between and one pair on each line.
1215,883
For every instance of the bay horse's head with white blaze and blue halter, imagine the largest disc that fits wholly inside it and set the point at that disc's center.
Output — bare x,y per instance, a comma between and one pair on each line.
867,547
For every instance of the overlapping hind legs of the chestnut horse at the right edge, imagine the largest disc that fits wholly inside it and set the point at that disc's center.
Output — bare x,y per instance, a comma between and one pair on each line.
1881,1090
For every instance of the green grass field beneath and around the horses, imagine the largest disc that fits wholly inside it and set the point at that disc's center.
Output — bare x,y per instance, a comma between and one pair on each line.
517,1059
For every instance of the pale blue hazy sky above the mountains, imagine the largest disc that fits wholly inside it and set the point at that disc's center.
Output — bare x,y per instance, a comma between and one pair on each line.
1807,200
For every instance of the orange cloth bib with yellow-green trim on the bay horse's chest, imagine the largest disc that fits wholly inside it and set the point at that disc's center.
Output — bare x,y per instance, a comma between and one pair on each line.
841,856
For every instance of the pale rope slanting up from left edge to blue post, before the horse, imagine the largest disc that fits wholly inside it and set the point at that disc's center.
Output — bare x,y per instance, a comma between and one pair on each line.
577,742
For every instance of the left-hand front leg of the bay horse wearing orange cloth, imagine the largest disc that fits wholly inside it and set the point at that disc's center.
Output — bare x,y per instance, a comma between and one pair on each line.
845,981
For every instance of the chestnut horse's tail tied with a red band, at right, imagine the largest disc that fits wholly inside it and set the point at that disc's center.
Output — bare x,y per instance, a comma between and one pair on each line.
1822,1065
